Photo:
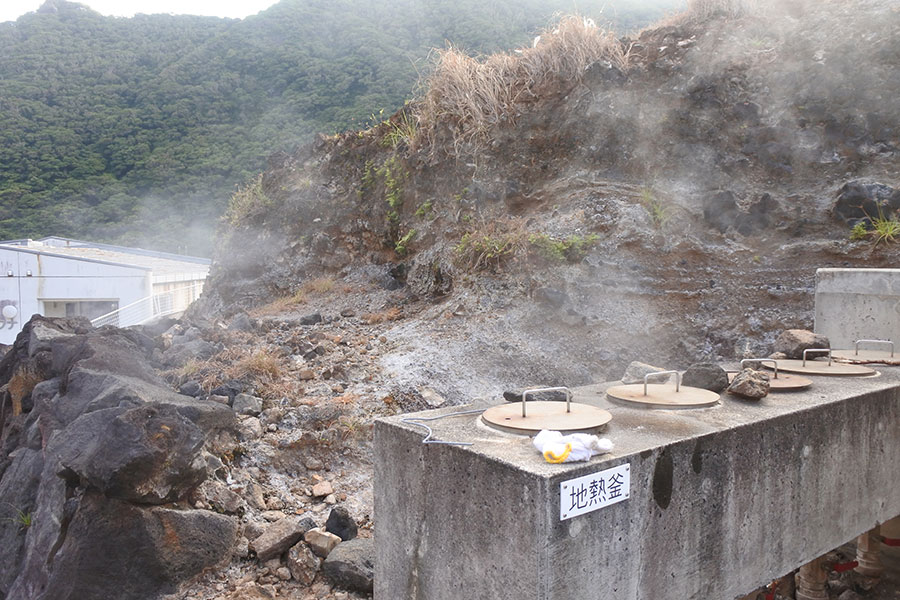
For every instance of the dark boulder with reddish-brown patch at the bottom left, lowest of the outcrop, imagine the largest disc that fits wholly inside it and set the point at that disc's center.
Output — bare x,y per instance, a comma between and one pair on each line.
113,549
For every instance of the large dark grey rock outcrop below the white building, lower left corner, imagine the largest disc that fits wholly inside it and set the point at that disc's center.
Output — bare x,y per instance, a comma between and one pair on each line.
97,457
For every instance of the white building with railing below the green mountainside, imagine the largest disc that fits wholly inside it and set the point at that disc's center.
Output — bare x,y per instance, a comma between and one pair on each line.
59,277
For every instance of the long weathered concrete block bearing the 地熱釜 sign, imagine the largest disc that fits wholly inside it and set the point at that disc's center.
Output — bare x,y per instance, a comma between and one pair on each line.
723,499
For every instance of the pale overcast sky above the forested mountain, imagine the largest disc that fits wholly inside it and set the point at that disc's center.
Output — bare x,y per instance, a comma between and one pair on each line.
10,10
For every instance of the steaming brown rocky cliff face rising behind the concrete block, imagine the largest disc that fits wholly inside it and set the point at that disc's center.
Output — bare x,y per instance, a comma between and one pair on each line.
670,202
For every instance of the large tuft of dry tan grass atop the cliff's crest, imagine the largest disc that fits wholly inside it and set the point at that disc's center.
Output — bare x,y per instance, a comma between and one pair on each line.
471,96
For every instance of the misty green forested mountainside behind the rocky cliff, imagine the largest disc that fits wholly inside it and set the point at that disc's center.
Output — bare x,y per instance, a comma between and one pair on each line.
137,130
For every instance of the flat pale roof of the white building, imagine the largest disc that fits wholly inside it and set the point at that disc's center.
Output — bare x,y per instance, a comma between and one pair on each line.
159,263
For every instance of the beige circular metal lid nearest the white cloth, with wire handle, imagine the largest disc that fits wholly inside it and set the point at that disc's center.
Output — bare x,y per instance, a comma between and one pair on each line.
546,415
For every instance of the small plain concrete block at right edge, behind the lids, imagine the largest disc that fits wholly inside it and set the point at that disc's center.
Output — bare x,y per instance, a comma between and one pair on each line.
853,304
